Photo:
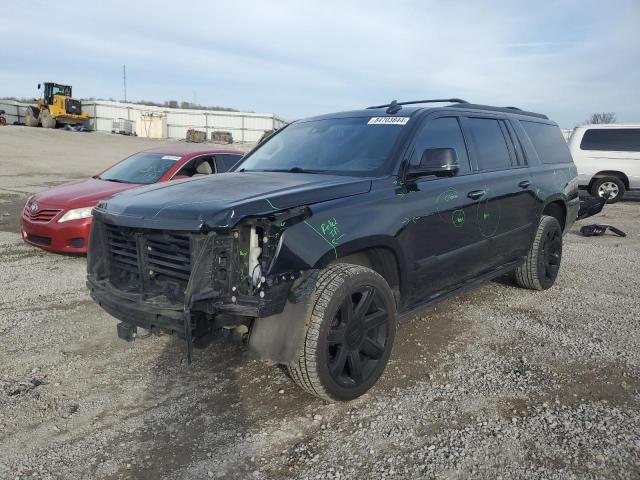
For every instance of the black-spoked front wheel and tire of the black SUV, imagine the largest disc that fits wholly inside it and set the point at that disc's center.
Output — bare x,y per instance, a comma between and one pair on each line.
349,335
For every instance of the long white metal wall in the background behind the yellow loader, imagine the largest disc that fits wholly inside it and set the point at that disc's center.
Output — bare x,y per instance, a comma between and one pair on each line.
244,126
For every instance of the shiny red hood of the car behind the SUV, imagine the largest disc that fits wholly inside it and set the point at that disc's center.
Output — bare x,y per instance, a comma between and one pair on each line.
84,193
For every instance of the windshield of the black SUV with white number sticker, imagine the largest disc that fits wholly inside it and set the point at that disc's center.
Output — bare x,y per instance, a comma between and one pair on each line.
359,145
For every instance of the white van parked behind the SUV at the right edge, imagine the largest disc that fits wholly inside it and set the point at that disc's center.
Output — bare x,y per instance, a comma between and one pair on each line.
608,158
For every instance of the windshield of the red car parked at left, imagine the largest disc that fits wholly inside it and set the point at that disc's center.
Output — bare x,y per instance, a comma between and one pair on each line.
142,168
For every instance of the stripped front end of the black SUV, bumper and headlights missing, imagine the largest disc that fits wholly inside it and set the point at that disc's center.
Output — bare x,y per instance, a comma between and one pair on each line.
190,284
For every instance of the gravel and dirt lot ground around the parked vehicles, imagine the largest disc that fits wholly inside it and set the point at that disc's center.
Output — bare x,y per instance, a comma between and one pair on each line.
500,383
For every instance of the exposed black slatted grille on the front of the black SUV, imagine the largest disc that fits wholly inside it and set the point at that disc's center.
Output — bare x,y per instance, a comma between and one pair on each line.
153,263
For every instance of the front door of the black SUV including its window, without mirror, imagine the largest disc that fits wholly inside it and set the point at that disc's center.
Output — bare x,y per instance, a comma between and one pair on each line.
440,233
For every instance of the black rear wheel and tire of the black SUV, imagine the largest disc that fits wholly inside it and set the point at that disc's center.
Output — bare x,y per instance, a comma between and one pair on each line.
542,265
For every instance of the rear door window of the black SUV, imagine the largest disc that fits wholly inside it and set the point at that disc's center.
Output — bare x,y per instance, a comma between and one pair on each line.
490,144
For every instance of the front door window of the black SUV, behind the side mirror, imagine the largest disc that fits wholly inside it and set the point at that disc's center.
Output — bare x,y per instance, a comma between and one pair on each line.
442,132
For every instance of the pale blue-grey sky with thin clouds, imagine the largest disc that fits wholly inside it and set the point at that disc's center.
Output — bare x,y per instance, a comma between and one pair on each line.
566,59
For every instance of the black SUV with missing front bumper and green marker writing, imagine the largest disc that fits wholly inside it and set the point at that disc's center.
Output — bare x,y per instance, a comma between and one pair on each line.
333,228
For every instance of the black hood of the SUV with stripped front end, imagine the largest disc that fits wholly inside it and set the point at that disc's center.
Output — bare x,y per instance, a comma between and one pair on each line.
221,201
